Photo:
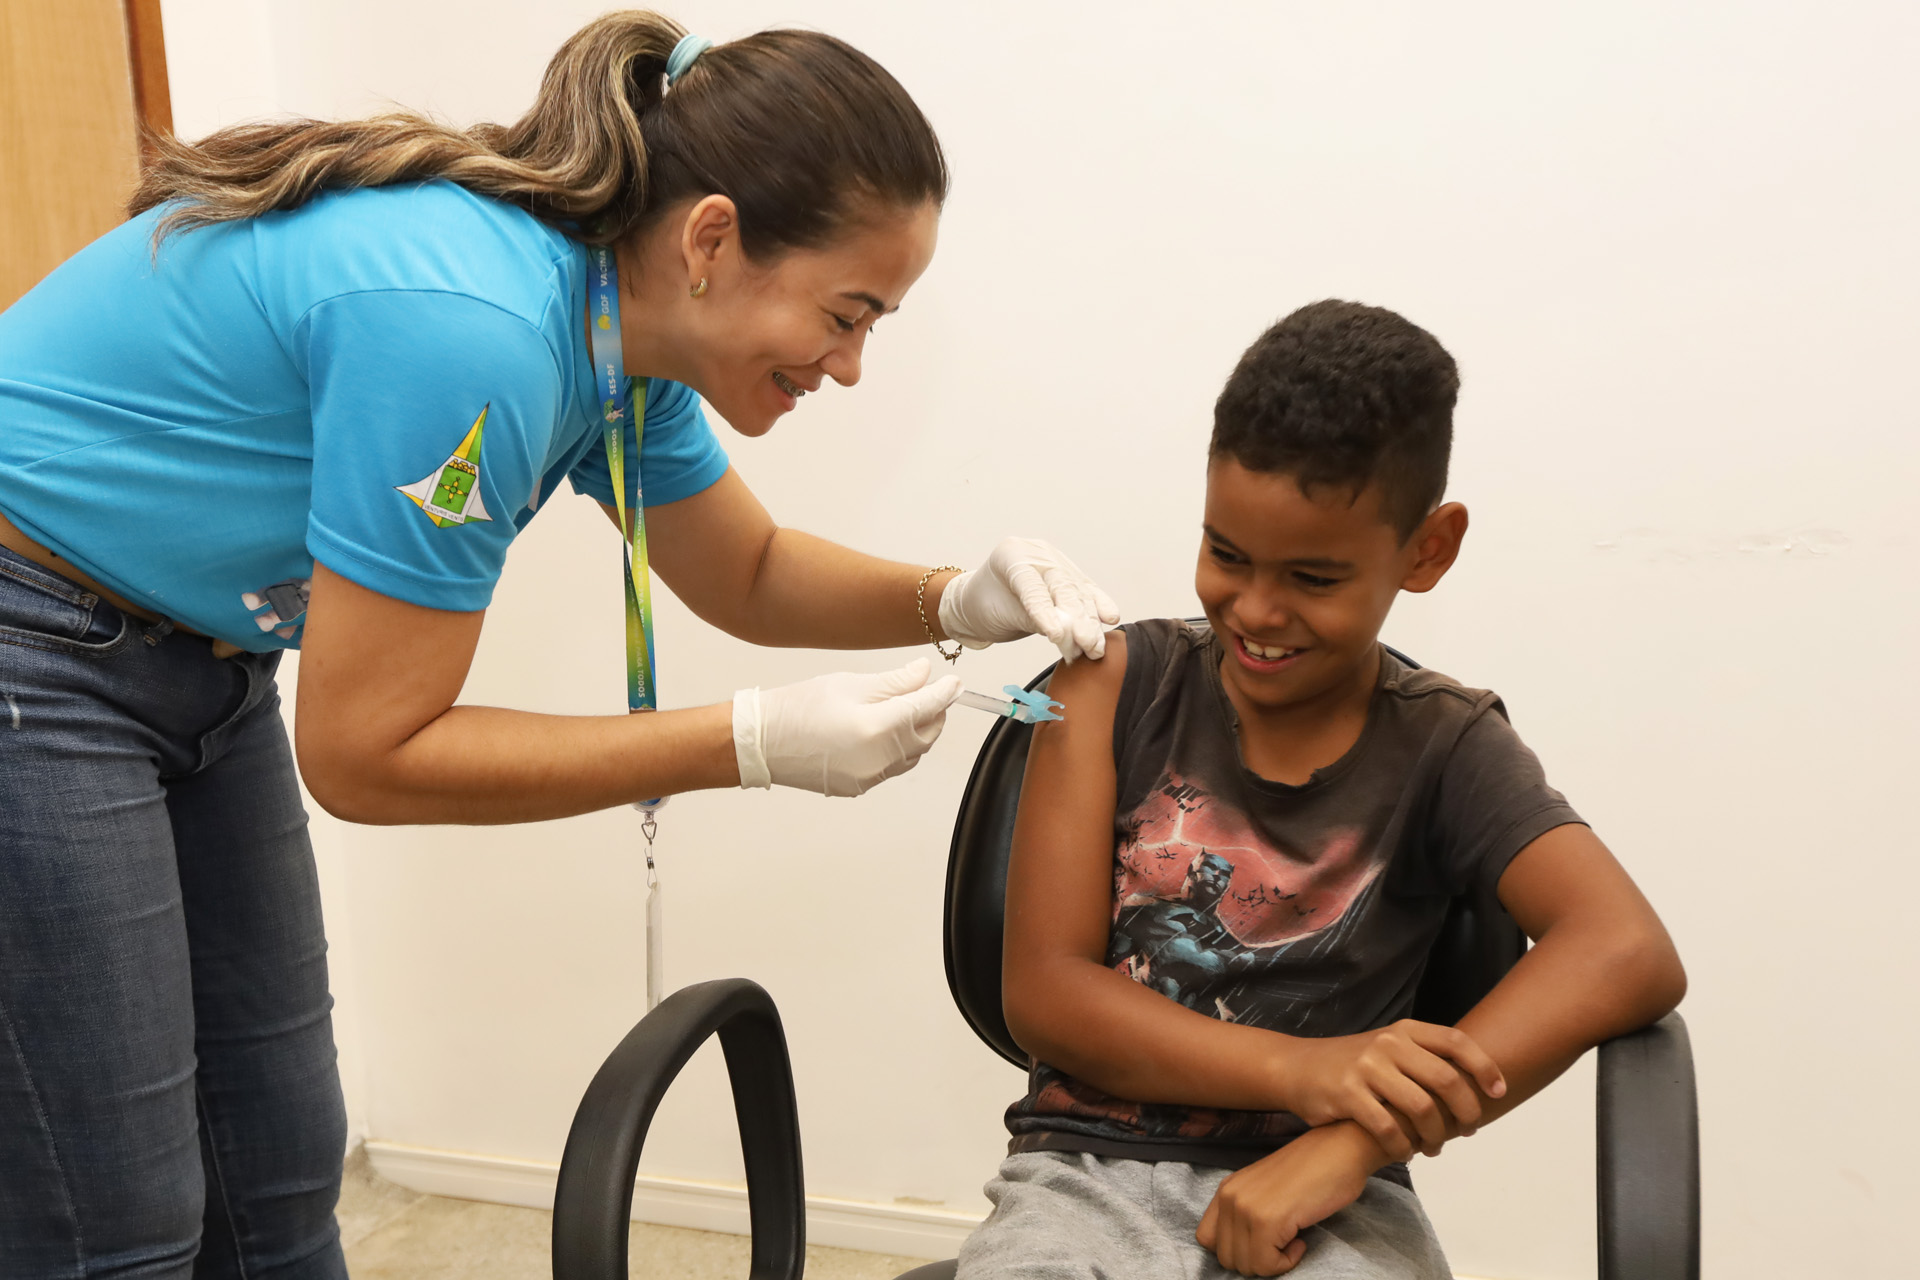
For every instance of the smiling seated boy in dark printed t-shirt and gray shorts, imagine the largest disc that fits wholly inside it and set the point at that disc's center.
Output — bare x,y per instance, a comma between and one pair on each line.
1236,853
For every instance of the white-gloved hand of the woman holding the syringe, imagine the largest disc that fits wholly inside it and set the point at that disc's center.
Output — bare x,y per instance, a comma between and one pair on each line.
840,734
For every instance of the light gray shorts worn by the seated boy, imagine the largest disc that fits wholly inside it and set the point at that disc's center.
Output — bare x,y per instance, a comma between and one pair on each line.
1061,1216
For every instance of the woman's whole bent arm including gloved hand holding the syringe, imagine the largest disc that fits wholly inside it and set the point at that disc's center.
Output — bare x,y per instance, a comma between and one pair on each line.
381,740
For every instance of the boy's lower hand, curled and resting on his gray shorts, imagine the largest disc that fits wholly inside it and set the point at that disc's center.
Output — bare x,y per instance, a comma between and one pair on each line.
1257,1218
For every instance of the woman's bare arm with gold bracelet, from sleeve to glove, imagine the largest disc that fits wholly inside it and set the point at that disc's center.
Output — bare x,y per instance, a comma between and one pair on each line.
727,559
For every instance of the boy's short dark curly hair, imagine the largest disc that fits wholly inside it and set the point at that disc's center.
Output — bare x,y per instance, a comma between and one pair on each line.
1341,394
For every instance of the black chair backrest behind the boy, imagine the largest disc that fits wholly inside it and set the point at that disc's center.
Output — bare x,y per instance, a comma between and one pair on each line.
1476,949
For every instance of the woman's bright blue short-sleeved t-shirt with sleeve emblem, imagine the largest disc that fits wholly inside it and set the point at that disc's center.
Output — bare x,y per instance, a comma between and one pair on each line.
387,381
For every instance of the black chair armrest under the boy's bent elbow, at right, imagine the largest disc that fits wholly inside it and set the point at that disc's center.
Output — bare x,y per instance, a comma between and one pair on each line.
1648,1156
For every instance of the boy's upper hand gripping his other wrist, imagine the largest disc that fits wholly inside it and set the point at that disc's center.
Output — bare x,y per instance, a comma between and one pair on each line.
1416,1070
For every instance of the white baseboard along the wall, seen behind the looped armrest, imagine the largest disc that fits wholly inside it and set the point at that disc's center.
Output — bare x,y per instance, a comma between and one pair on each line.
905,1231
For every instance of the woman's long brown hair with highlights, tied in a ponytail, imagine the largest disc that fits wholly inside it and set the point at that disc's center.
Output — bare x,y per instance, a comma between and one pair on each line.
805,135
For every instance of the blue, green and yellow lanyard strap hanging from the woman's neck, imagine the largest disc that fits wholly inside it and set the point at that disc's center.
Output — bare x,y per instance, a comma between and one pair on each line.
612,387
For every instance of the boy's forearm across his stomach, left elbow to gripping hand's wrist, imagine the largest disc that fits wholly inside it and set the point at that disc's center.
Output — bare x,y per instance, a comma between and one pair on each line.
1109,1031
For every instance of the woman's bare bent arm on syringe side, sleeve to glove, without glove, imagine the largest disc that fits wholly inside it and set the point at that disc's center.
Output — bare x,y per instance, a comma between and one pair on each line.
381,740
